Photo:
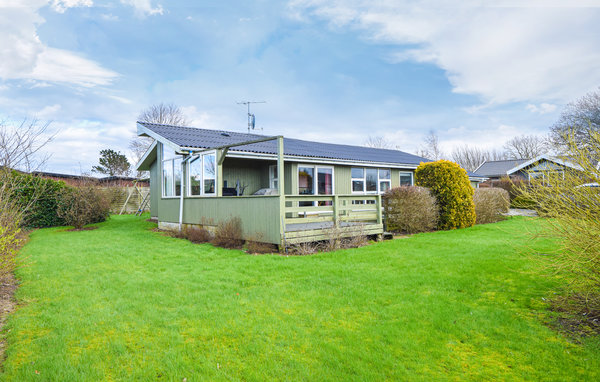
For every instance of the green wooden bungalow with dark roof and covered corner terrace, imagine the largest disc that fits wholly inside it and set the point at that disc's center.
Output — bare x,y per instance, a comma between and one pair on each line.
284,191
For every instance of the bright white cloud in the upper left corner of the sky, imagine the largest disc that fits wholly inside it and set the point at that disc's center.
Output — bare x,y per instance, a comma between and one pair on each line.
25,57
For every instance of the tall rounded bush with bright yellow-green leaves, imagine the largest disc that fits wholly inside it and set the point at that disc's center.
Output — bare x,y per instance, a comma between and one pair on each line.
450,185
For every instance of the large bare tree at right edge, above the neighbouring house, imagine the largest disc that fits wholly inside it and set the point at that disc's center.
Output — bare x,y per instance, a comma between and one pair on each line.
578,123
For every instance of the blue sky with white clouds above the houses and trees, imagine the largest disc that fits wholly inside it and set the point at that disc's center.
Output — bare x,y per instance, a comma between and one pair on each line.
474,72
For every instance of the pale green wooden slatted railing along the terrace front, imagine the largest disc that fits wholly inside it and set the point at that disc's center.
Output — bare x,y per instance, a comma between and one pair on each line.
332,208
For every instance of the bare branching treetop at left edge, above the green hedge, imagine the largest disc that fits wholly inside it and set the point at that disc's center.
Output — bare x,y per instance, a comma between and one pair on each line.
21,144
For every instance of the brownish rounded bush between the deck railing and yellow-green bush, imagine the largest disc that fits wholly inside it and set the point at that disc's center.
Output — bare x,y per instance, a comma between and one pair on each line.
410,209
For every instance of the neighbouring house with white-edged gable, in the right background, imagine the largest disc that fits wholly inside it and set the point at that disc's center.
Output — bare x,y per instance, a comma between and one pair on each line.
525,169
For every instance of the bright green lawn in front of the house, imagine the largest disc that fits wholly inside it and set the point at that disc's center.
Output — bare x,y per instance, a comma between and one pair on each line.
125,303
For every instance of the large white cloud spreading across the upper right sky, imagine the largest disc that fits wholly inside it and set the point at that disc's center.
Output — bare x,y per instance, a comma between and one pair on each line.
510,51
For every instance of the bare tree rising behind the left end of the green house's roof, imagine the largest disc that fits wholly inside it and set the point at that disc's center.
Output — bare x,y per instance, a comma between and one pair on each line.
166,114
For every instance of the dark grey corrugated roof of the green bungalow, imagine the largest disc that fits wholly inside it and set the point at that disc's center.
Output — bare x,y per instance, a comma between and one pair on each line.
204,138
